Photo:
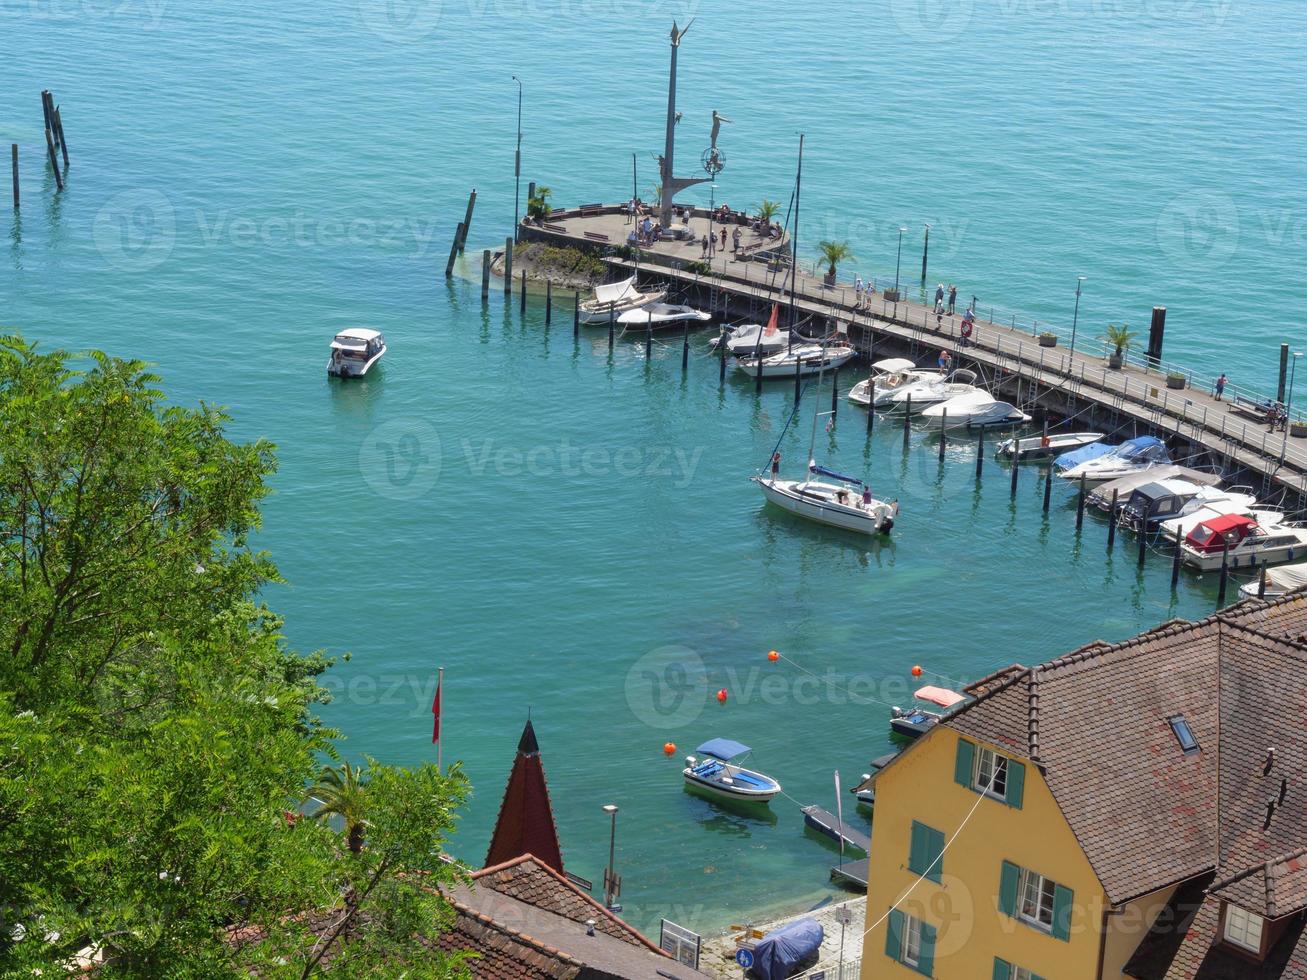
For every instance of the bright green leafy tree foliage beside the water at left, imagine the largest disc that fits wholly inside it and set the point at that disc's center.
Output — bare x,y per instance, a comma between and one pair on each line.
156,734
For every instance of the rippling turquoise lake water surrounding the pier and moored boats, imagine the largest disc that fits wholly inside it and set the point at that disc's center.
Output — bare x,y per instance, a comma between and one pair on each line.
574,532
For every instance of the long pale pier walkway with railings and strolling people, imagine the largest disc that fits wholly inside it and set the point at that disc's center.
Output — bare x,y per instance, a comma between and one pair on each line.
747,283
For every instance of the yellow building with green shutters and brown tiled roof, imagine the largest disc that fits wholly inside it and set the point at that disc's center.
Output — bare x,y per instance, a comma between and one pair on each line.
1113,813
